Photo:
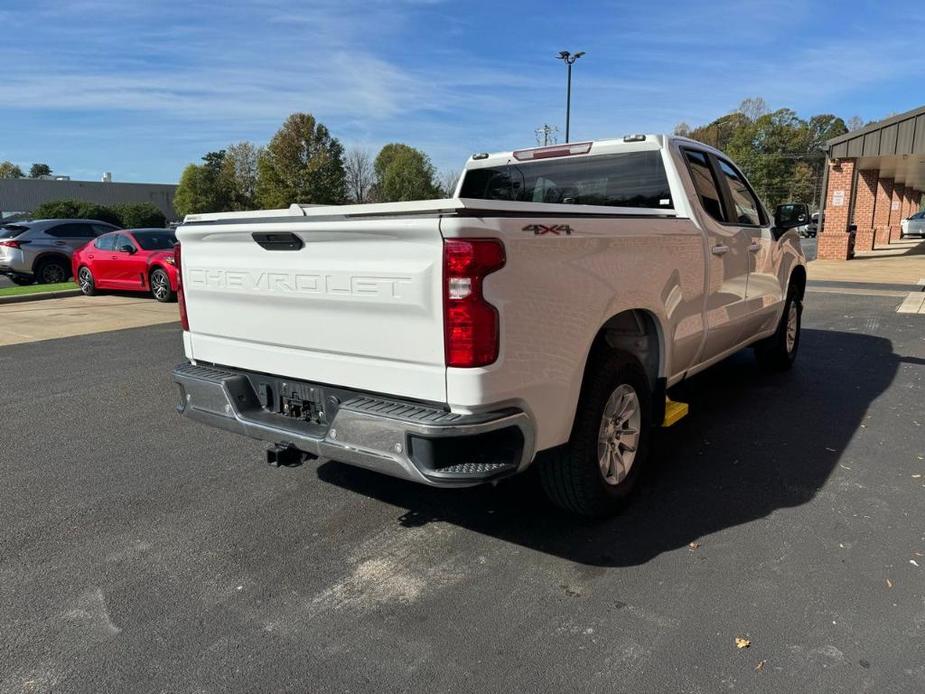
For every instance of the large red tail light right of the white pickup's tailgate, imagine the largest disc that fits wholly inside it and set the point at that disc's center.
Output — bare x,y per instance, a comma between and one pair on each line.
470,323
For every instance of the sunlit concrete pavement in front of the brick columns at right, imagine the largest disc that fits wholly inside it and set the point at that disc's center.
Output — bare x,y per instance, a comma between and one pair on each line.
902,263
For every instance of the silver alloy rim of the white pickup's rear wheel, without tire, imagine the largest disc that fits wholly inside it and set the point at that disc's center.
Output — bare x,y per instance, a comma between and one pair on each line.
618,435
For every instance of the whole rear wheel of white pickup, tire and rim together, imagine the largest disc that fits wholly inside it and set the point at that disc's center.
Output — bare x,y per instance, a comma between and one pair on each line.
594,473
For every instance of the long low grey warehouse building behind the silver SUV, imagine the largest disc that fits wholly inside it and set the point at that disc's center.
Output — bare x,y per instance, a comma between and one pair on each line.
19,195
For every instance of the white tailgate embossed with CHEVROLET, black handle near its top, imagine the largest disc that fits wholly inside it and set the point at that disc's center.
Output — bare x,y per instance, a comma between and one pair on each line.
359,305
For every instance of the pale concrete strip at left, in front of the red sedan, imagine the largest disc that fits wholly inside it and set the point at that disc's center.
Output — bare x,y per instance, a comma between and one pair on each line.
79,315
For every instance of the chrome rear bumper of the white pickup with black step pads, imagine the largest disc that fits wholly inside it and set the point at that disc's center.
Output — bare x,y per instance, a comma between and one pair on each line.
408,440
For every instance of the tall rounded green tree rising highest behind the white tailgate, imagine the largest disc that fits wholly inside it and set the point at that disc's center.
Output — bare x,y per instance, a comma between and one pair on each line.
302,164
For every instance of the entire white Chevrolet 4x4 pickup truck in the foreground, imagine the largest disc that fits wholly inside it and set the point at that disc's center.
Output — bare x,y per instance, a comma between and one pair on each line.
540,315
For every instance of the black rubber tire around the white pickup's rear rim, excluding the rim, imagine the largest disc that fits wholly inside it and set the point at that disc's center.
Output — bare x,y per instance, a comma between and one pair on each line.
572,475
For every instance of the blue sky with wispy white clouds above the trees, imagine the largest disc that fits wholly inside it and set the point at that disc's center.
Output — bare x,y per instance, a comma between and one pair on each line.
143,87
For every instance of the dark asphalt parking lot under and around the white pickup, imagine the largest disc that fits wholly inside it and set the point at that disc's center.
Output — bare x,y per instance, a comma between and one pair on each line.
146,553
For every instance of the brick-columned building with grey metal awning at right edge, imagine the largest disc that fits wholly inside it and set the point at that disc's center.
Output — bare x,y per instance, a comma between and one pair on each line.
875,177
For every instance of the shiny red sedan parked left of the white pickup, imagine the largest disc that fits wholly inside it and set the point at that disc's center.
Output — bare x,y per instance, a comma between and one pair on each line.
135,260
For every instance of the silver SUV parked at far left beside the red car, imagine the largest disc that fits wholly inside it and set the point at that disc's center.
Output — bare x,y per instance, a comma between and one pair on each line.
41,250
